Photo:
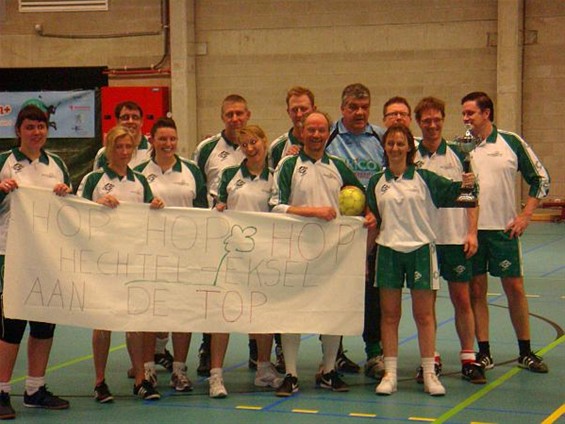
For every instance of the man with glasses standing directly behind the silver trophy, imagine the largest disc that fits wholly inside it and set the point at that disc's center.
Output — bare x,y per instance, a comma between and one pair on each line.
457,229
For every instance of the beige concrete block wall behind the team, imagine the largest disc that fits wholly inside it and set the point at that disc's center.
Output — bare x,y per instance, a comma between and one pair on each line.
259,48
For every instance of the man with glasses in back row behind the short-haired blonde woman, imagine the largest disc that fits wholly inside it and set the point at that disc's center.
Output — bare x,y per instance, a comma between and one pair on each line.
130,115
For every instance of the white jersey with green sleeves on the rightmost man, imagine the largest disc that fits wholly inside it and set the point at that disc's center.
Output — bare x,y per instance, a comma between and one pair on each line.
496,162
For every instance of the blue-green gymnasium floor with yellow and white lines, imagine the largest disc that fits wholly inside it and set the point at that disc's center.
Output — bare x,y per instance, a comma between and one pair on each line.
511,395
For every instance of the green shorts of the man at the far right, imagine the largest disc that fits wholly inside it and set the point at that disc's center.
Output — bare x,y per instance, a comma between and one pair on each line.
498,254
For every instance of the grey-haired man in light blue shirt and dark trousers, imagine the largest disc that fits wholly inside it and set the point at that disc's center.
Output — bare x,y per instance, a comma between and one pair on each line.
359,143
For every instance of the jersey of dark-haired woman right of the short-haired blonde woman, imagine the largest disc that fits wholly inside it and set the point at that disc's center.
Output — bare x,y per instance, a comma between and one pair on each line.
181,185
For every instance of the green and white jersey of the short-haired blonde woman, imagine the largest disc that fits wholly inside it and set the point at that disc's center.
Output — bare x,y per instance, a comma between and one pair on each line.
132,188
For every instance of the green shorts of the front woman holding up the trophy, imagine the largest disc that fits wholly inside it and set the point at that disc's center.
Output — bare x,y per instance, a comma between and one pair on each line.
417,268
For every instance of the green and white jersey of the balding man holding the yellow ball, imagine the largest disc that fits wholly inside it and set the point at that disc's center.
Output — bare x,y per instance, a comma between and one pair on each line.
302,181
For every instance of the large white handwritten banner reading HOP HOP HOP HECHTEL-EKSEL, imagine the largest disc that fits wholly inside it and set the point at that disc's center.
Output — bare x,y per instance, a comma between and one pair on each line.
74,262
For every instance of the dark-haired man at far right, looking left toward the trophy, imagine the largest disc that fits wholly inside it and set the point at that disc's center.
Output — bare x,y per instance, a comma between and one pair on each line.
496,160
